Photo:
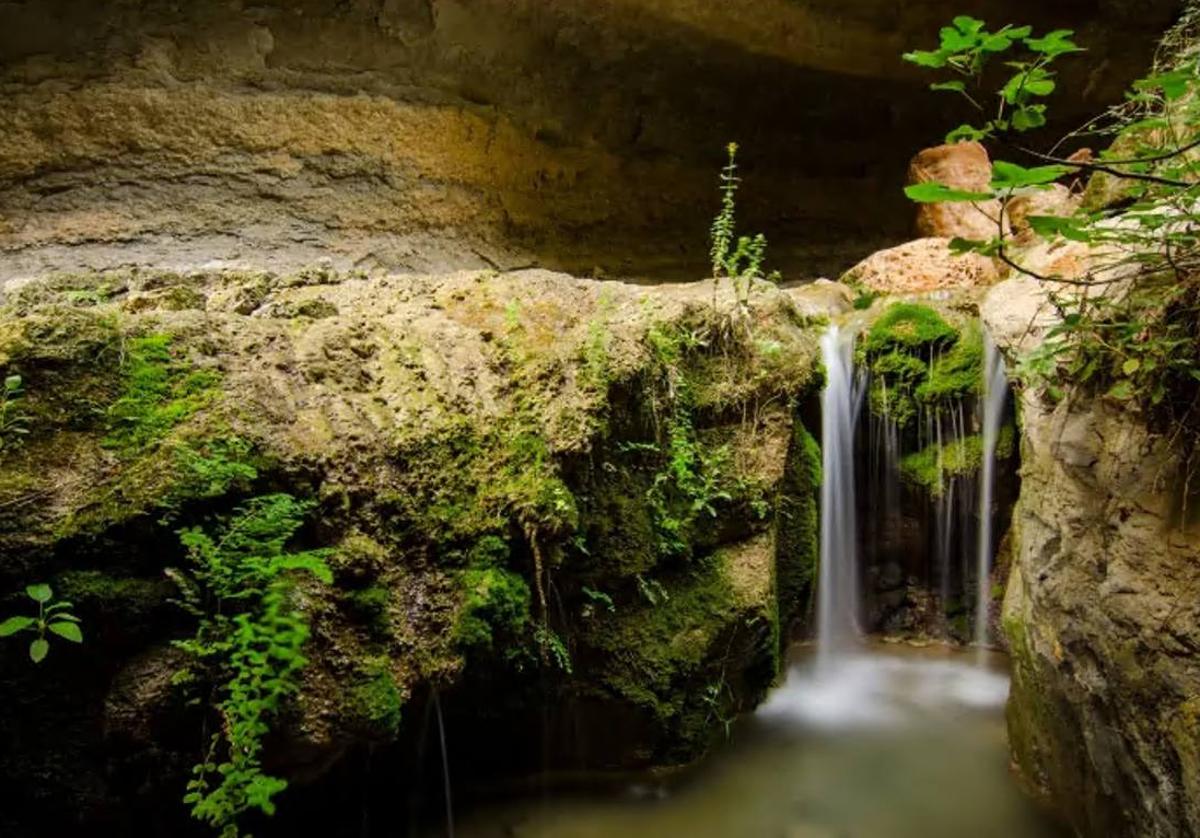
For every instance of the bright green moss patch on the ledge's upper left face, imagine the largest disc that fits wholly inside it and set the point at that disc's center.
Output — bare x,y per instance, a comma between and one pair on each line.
159,393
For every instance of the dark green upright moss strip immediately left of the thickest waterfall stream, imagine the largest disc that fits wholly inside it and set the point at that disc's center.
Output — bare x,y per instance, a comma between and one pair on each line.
799,529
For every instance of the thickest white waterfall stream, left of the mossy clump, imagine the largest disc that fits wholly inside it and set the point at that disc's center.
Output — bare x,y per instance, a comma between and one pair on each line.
838,626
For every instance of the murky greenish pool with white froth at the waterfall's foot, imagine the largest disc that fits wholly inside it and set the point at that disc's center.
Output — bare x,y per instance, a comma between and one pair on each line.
891,743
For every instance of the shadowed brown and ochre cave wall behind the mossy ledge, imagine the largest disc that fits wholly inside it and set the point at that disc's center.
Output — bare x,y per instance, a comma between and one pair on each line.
464,134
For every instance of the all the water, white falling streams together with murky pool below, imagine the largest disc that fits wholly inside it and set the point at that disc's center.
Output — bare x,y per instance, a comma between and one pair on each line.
862,740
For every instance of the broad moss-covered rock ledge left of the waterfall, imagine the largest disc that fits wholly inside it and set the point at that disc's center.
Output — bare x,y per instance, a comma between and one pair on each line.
571,494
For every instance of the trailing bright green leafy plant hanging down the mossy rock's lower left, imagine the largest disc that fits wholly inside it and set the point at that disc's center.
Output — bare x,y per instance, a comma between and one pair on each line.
248,647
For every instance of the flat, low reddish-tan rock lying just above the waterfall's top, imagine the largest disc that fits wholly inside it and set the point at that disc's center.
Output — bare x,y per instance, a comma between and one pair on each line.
921,266
